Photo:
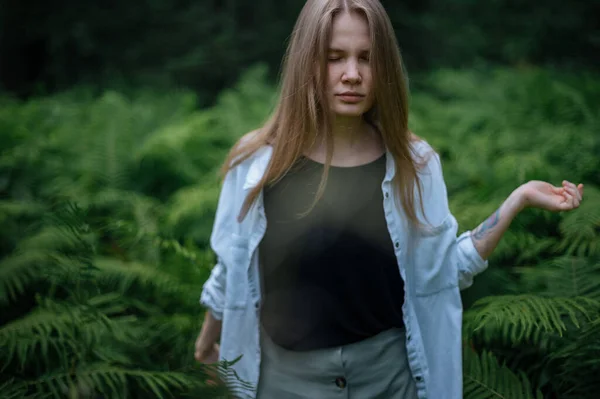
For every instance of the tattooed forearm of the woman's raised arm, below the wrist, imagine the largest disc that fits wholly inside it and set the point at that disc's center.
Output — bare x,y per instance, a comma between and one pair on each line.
488,234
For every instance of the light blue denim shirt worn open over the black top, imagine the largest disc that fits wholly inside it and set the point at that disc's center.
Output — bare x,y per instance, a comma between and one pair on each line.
434,265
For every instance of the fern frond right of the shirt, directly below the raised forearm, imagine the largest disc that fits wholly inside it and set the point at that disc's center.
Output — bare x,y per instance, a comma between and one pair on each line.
518,317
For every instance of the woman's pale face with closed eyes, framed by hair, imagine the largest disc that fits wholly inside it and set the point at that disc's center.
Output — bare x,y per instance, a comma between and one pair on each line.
349,85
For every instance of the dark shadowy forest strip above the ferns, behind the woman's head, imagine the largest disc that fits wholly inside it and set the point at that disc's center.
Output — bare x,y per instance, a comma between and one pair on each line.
46,46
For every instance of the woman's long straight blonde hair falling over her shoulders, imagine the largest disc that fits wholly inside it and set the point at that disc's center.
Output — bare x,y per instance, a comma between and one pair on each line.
302,112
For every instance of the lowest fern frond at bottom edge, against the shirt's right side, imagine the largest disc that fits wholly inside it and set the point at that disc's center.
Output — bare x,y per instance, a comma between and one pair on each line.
484,378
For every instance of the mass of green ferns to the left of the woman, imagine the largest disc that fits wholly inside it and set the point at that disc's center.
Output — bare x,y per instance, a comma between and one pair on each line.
101,276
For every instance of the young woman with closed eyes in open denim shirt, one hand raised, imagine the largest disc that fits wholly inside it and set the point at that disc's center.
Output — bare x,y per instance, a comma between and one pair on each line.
339,267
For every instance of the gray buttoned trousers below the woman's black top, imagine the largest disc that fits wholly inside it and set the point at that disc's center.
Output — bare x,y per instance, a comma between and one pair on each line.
376,368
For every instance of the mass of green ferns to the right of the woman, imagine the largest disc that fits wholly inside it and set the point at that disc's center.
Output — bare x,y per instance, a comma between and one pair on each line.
497,129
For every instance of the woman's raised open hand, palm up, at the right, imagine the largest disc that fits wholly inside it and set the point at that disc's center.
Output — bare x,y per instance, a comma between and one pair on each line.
539,194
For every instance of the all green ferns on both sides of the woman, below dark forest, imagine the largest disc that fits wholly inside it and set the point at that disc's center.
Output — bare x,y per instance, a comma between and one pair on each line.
108,203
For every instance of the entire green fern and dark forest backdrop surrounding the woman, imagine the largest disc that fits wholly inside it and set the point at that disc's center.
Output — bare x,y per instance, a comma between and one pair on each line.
116,115
